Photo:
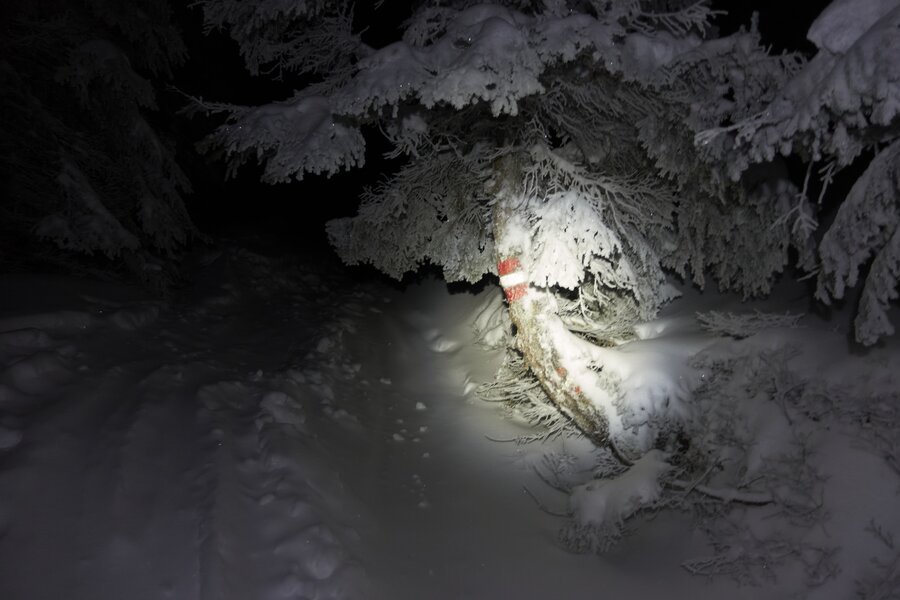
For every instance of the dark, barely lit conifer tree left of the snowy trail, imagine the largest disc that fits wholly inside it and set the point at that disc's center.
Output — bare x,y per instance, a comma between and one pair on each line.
86,171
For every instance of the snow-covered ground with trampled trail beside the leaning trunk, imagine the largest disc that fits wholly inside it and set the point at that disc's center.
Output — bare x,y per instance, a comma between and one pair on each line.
281,431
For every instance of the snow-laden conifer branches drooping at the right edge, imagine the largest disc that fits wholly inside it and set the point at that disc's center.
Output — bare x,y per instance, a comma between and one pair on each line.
839,107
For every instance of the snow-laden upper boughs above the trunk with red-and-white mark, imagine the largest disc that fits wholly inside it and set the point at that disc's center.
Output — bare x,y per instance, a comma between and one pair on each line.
453,57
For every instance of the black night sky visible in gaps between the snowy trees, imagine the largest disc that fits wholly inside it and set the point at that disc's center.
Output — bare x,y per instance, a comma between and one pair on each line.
297,212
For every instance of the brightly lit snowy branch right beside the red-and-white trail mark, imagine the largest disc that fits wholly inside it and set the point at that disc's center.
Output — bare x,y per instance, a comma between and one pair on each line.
587,224
